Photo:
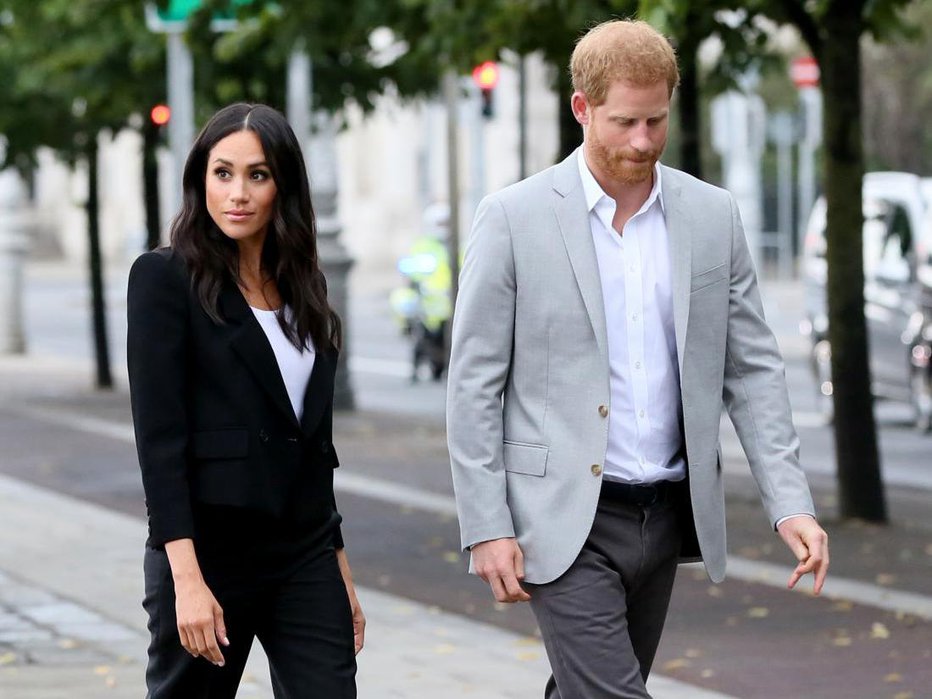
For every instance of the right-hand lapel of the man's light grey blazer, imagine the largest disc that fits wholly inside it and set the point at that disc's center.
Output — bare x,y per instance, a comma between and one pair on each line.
680,242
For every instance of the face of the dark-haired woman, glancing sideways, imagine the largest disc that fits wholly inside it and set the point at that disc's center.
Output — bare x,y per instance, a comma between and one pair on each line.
239,188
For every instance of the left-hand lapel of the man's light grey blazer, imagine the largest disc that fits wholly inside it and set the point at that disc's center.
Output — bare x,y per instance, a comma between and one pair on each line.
573,222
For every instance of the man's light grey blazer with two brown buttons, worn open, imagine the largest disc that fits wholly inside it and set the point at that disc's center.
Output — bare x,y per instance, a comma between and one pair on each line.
529,369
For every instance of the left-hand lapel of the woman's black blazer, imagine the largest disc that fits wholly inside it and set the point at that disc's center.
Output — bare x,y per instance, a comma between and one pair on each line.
251,344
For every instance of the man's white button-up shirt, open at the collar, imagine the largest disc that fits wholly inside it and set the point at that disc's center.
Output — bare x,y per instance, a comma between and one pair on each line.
644,434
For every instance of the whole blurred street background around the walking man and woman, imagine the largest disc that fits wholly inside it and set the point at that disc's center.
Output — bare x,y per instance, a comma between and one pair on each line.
813,113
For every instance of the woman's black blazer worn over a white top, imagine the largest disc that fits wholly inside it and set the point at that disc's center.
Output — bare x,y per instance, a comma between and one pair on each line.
213,421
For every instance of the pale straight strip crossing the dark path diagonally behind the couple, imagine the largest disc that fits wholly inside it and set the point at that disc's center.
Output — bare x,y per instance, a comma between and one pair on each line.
445,505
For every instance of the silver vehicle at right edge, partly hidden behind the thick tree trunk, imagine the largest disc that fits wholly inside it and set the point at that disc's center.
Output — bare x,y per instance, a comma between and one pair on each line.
897,242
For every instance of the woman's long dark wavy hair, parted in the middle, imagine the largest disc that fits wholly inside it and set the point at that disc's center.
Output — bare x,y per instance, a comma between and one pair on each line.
289,254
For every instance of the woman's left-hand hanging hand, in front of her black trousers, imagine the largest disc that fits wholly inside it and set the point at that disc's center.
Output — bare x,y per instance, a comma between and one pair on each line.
199,615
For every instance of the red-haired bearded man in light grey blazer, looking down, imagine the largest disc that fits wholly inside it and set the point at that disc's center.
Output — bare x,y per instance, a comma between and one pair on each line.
608,310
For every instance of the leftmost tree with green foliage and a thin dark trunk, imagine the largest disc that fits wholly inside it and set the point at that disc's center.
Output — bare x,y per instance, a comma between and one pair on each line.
76,69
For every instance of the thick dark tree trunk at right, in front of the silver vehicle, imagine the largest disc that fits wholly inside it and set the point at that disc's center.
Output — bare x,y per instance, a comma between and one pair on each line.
860,485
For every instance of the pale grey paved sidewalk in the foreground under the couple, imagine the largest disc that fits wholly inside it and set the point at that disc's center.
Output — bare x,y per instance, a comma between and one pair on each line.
71,626
